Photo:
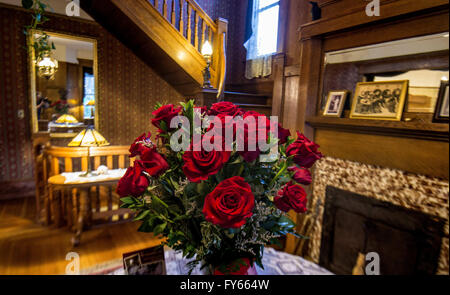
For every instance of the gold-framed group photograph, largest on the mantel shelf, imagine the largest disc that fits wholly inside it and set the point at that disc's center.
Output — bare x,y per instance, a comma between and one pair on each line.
379,100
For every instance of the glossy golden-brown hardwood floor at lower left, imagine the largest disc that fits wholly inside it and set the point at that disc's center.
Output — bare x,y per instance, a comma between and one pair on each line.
27,248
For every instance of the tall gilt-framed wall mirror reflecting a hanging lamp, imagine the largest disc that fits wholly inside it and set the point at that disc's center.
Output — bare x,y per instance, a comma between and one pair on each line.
64,86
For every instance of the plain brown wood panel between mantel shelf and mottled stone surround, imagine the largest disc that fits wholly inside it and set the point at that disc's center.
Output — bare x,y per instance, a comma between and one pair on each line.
425,157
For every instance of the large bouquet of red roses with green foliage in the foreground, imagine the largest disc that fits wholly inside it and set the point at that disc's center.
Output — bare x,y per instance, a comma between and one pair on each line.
218,182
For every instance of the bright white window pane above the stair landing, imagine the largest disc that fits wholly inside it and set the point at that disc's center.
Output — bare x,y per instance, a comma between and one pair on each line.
265,28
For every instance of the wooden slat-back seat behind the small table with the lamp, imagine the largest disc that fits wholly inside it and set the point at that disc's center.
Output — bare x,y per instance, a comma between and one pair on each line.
64,159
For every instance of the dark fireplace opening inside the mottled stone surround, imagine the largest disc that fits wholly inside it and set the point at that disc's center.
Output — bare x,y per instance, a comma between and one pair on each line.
407,242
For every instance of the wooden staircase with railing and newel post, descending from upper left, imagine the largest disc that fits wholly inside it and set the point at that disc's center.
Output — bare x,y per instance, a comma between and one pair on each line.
168,36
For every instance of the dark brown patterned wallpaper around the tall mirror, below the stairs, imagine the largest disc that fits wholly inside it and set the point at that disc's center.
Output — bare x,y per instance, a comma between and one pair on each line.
128,90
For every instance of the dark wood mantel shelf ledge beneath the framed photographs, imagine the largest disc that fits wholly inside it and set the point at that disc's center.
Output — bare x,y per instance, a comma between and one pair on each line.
412,129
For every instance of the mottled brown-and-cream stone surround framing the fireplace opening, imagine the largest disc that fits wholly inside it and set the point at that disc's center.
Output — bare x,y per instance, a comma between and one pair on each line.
411,191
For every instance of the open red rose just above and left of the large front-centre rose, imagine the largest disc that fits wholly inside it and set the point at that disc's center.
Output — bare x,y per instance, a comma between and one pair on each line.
199,165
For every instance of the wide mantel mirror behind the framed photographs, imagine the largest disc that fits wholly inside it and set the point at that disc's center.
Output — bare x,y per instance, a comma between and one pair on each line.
421,60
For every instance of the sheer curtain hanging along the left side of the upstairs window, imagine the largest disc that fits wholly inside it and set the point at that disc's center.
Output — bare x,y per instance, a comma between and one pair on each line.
255,66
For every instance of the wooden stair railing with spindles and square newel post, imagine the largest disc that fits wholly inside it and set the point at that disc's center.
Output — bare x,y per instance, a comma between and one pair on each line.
196,26
